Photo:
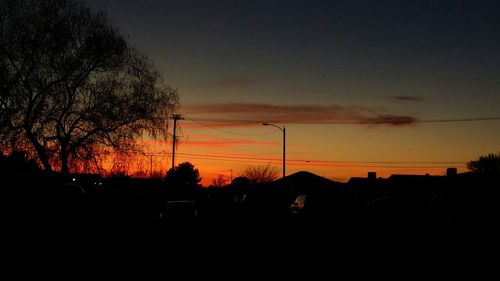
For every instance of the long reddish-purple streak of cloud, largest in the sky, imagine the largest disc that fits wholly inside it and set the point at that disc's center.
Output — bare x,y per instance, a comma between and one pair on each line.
245,114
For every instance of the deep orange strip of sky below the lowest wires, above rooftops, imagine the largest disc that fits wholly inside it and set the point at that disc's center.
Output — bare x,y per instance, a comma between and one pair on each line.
140,165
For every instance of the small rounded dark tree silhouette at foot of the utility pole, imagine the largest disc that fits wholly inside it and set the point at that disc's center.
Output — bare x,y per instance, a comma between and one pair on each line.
184,177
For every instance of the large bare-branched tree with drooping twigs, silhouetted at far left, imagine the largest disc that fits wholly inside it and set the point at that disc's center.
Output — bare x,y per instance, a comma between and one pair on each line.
71,86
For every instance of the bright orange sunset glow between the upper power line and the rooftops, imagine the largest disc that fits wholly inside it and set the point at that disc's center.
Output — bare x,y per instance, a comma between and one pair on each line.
309,148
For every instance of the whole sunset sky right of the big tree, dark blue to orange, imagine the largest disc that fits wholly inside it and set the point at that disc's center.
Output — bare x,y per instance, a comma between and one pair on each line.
361,86
